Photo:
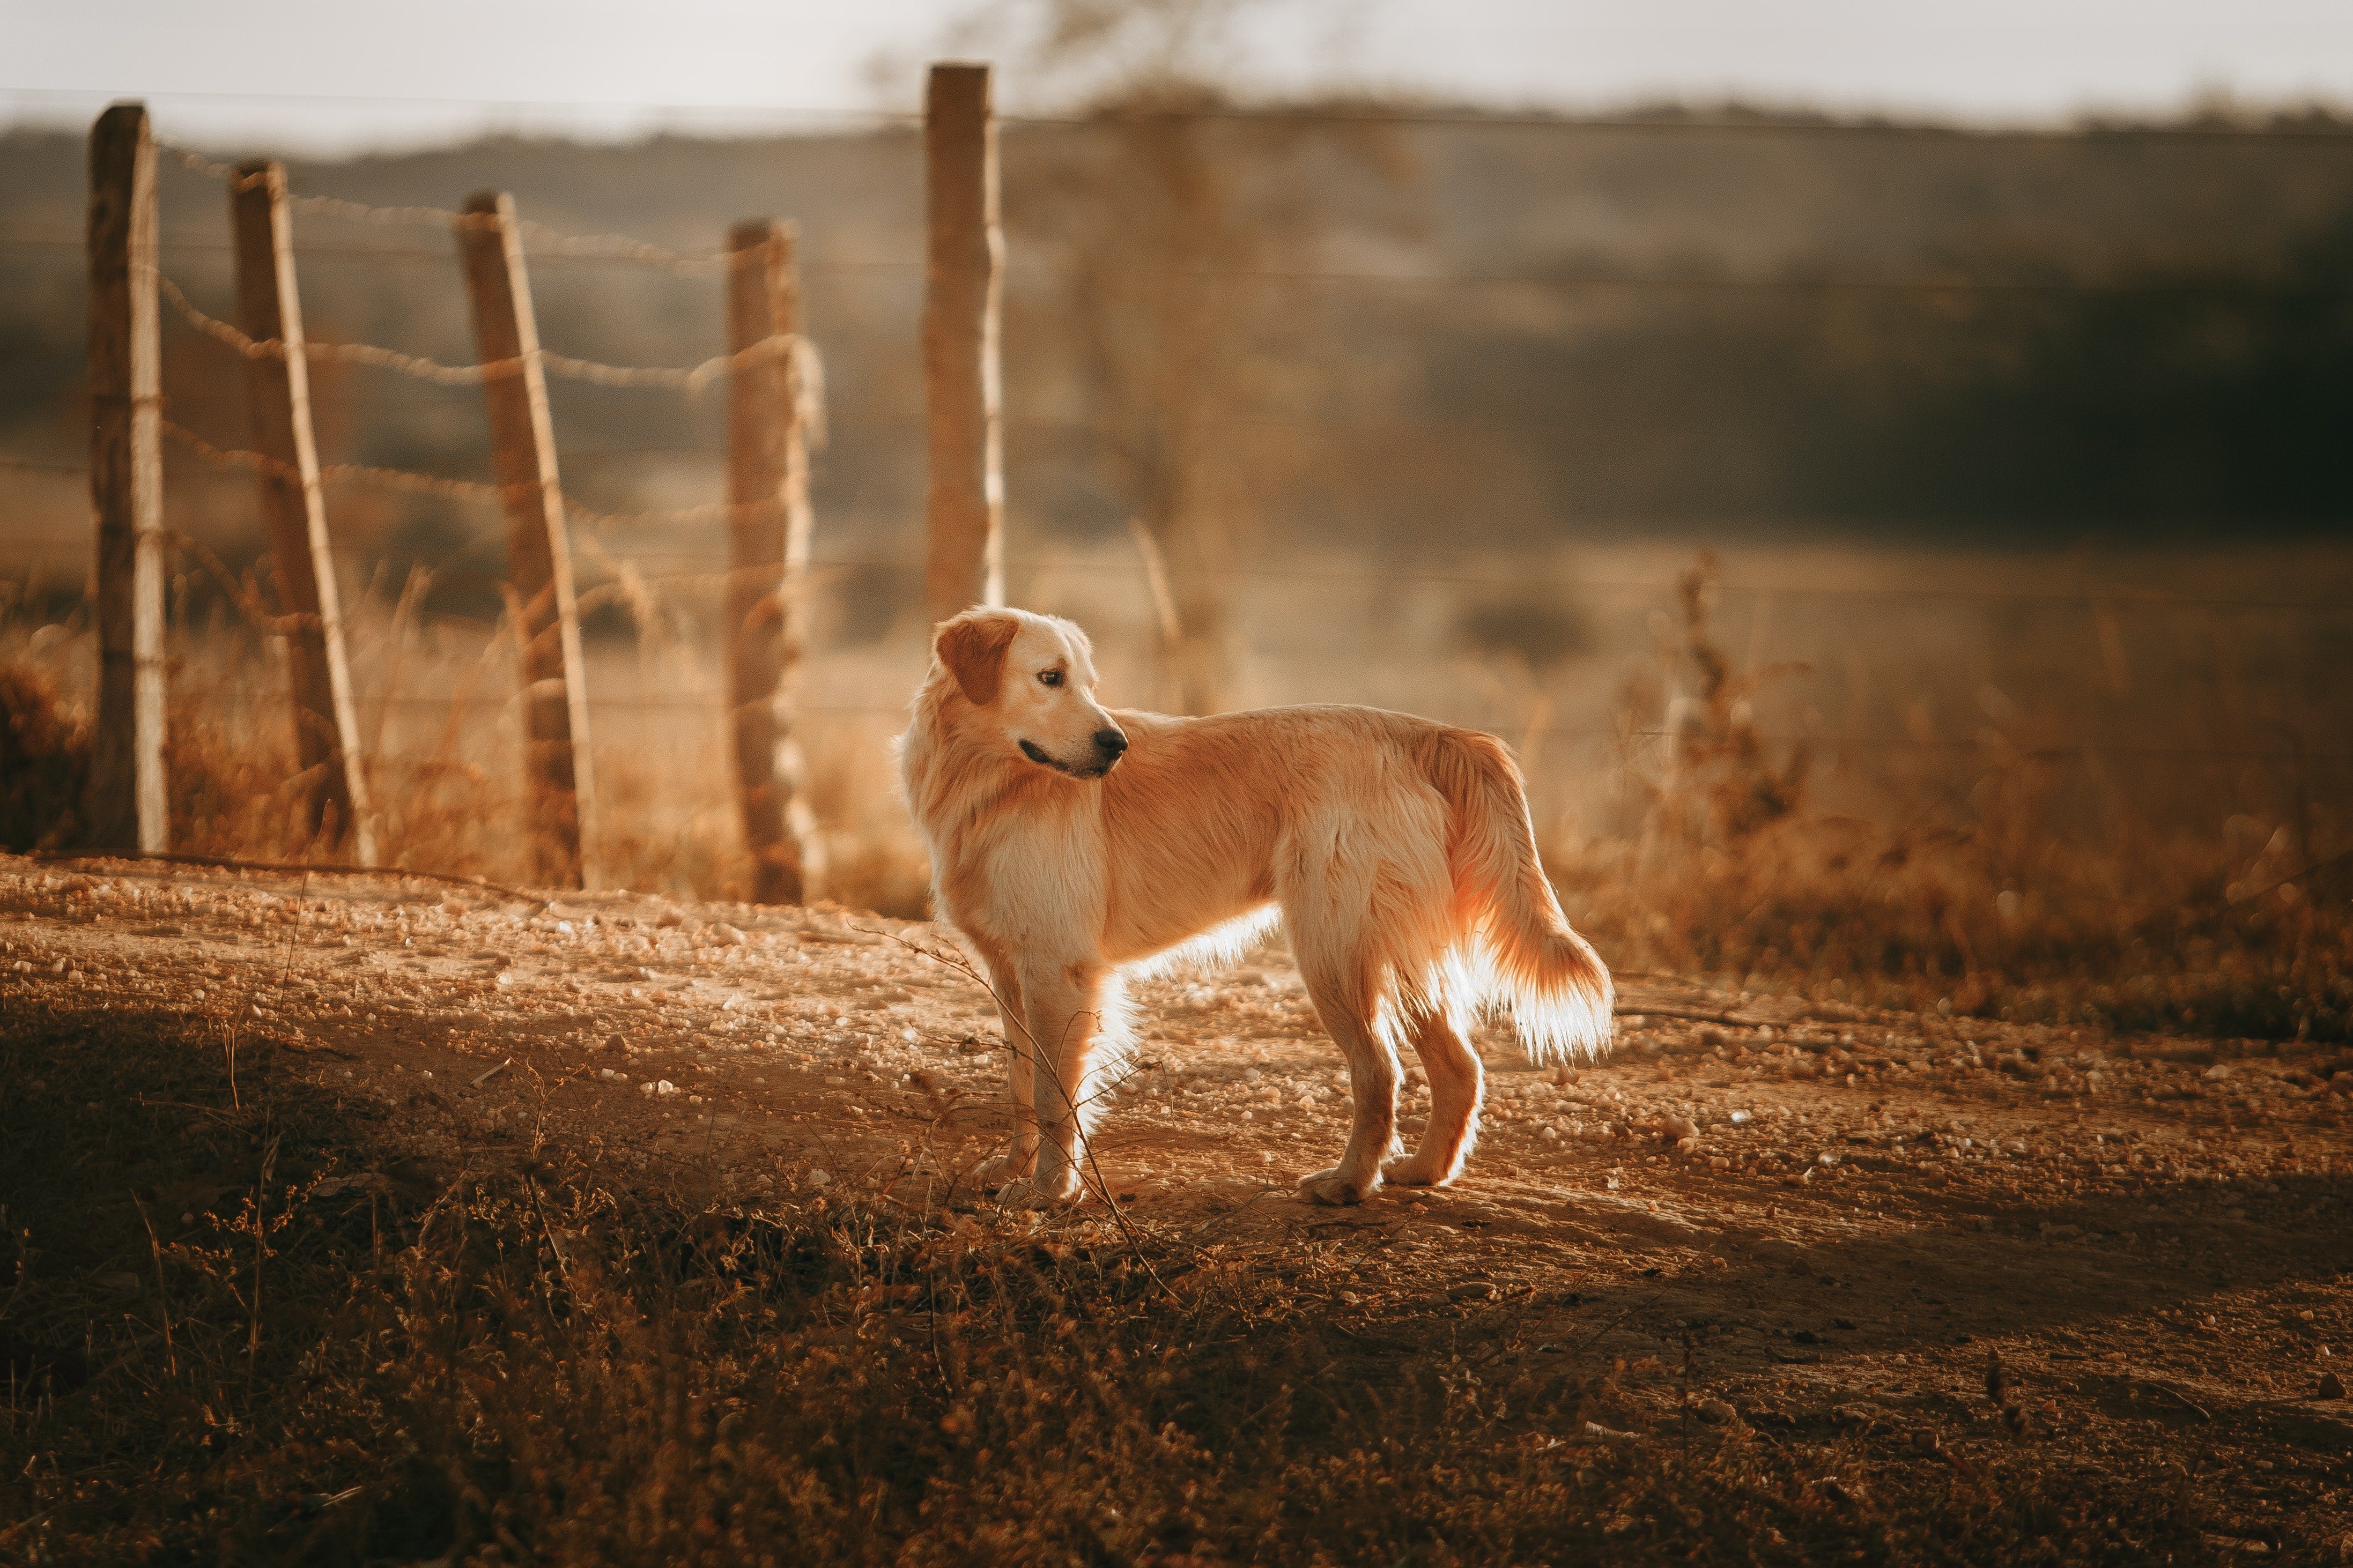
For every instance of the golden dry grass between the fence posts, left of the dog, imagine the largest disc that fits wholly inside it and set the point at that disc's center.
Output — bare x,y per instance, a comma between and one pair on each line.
441,725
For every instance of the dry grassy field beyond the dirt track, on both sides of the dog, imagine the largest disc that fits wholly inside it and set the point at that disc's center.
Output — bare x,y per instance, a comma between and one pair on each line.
2138,833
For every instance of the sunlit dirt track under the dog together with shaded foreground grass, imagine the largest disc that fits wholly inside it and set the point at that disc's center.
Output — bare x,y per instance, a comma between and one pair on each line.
396,1221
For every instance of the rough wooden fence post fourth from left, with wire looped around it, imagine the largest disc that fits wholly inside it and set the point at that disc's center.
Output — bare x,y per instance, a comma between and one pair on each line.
768,547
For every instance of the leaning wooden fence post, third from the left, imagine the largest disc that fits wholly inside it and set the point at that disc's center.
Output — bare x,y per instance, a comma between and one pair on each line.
538,549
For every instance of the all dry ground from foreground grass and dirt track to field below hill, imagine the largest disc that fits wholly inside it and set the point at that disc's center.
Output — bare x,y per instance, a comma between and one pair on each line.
1968,1184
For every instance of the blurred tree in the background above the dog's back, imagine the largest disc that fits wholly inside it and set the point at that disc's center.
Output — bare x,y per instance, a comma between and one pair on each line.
1152,335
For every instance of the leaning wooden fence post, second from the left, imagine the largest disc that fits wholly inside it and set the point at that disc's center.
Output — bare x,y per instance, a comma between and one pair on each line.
295,509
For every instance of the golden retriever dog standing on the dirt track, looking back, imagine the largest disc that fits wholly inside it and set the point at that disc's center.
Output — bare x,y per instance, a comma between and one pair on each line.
1072,843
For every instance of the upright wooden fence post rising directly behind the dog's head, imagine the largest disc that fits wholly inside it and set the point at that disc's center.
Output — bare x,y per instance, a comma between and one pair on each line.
961,382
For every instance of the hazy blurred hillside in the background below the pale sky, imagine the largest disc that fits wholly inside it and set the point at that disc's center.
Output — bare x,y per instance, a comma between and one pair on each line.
1401,333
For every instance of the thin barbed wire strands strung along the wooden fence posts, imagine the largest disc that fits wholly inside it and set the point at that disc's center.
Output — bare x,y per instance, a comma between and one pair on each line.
799,354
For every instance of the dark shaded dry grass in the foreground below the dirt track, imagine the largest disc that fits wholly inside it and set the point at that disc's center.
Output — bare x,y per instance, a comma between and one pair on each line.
251,1329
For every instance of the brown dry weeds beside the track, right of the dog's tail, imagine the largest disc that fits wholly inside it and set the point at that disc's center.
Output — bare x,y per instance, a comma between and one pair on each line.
1985,902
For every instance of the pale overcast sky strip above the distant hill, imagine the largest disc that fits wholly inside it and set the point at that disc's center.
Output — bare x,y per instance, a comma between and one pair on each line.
347,76
